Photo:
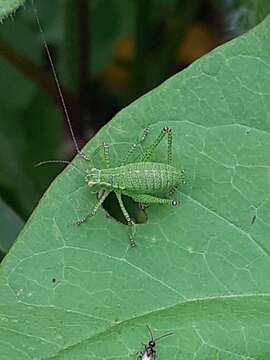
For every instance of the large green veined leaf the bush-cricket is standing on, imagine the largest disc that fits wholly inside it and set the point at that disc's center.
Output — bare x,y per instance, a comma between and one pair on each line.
200,270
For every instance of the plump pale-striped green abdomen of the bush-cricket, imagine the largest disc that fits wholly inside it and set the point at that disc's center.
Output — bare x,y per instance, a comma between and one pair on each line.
143,177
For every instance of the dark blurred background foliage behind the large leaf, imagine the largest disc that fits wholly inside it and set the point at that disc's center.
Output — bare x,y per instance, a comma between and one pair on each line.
107,53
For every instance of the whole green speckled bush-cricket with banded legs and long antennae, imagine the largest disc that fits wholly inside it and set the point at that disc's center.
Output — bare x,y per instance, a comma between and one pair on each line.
144,180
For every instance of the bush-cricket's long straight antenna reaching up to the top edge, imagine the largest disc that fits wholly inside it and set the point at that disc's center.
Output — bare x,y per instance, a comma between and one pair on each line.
56,81
